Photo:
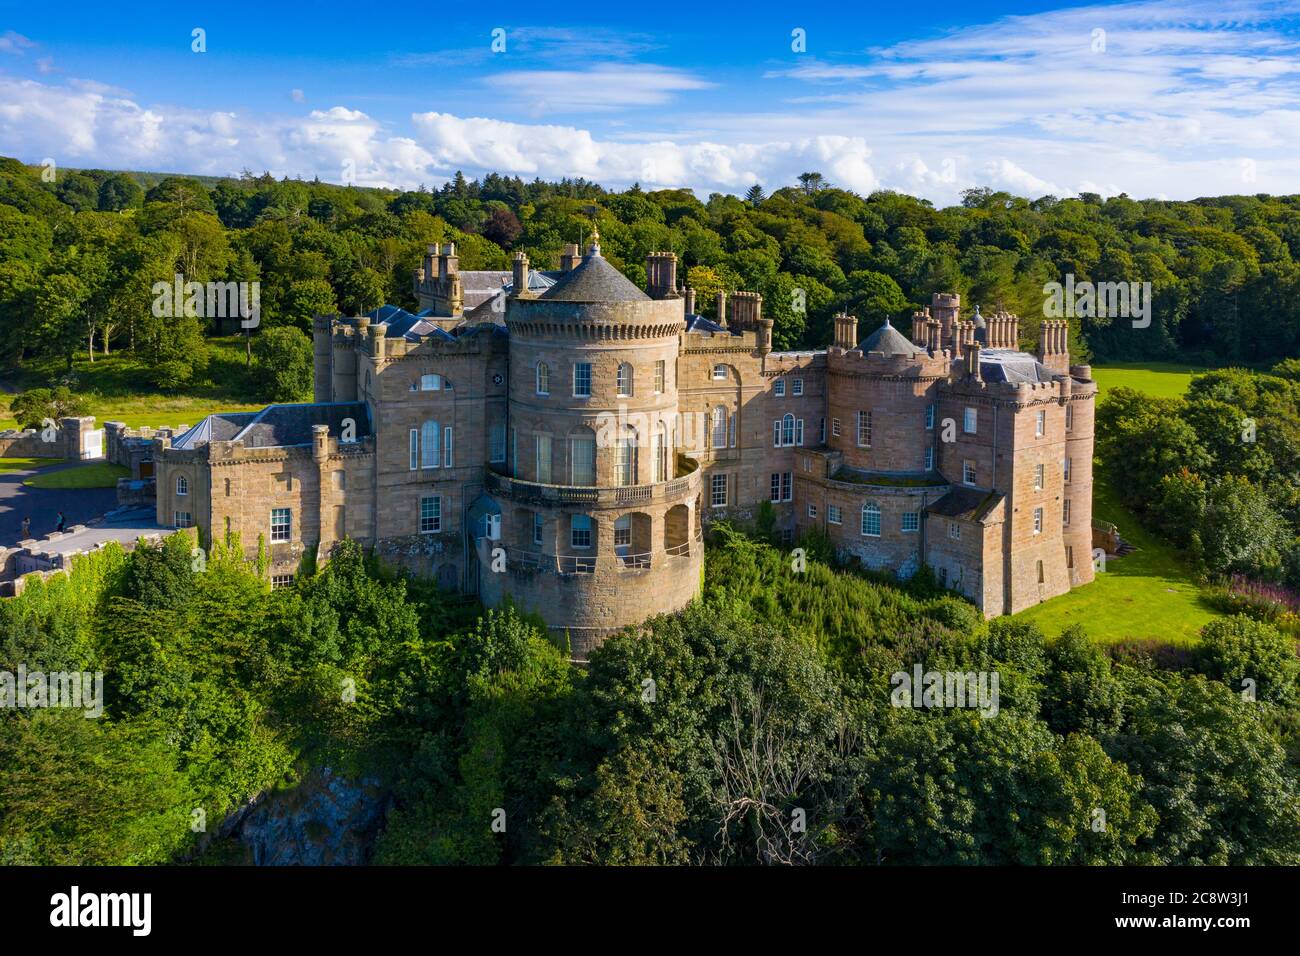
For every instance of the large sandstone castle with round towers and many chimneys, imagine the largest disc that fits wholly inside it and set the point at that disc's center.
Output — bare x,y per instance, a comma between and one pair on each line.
562,438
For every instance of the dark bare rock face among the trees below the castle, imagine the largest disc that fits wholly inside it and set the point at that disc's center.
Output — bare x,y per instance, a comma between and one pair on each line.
326,821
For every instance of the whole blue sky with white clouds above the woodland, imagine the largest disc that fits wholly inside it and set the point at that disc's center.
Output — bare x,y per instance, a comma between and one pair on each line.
1173,98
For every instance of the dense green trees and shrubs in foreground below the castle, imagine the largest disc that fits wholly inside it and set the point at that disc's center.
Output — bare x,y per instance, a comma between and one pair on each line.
772,703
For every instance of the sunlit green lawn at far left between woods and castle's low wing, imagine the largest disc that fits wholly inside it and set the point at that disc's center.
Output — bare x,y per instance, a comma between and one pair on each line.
114,388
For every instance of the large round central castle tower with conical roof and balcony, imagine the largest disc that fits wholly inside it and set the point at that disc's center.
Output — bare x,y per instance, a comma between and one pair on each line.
599,513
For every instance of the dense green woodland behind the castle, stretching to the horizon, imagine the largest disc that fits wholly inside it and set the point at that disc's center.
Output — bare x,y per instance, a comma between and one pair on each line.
81,252
